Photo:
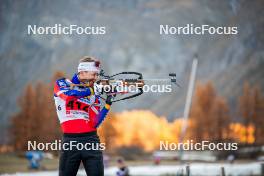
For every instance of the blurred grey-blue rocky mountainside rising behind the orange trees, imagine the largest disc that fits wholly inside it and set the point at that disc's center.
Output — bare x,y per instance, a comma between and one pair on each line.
132,43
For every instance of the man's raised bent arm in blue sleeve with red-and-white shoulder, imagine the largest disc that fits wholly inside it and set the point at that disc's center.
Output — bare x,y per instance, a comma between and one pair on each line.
62,89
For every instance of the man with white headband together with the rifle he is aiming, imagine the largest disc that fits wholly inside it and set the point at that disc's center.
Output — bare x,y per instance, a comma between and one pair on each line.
80,114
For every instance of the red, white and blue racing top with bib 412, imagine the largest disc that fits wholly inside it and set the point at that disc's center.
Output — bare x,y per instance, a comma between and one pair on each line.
78,109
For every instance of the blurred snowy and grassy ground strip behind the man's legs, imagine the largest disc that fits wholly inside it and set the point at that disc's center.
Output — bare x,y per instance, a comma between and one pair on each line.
16,163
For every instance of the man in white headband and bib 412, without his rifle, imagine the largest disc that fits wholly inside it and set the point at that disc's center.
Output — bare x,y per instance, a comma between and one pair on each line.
79,113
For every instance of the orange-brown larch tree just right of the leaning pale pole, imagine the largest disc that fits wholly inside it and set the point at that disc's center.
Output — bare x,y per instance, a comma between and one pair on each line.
209,114
